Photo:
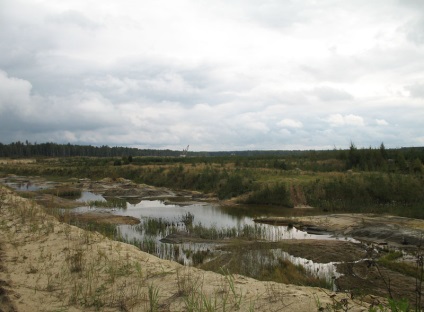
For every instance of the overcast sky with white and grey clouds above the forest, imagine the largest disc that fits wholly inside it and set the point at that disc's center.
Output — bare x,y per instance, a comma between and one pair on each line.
218,75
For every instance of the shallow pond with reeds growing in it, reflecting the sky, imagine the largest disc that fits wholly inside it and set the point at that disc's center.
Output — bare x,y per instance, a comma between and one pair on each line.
215,224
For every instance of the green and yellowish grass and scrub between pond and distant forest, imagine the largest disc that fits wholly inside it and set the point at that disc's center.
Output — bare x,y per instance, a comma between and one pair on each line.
355,180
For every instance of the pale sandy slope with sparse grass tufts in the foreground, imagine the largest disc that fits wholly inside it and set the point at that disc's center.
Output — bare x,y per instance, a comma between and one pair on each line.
52,266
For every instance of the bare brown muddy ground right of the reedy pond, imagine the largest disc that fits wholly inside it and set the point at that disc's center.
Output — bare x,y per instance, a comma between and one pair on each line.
379,234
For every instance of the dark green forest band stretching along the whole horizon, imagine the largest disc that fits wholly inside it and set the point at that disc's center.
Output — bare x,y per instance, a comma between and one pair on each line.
408,159
